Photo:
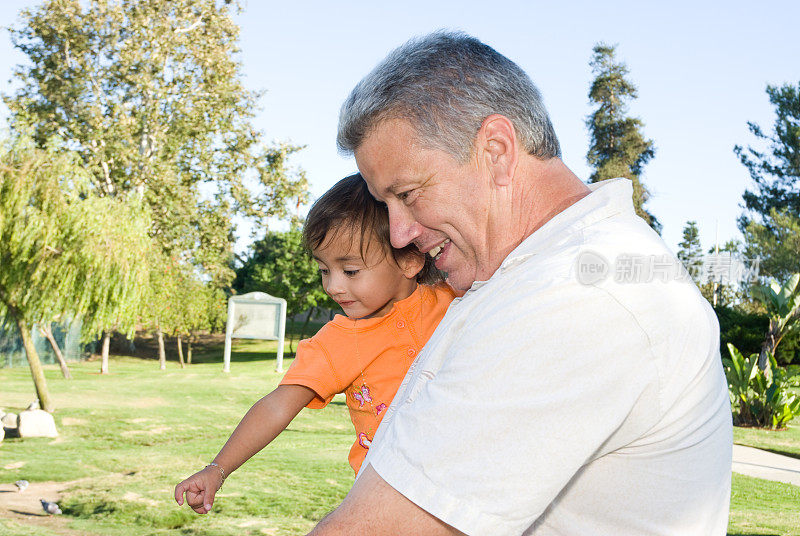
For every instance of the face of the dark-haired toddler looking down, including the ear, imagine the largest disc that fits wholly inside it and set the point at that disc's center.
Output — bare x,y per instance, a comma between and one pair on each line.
364,287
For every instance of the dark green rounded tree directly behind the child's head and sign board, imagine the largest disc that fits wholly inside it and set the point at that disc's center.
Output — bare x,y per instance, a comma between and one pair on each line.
279,265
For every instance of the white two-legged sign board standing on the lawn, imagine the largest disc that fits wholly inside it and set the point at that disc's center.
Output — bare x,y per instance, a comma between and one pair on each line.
256,315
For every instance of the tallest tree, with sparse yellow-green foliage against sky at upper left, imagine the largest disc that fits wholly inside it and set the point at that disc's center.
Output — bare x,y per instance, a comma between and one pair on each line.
149,94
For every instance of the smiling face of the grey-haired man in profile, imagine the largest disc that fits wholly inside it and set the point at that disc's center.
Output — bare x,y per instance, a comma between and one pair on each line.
435,202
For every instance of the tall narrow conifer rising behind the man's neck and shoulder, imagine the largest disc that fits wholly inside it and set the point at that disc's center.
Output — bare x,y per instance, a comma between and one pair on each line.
618,147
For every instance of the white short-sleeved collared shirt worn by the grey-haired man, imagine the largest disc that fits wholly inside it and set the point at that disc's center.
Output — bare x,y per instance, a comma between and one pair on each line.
577,391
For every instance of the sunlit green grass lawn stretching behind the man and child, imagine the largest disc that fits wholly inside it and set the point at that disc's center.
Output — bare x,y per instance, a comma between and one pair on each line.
128,437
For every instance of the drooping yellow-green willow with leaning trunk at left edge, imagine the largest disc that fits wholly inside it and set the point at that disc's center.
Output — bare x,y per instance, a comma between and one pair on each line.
64,252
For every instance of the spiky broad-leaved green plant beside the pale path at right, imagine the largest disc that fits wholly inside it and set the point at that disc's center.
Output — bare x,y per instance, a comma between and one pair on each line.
760,398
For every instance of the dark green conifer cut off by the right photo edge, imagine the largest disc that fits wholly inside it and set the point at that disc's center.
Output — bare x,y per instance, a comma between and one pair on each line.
772,208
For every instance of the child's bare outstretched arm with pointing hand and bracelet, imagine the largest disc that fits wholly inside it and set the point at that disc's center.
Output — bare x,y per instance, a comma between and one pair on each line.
266,419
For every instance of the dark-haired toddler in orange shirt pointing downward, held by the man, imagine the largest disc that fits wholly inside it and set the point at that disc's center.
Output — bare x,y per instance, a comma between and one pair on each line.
389,318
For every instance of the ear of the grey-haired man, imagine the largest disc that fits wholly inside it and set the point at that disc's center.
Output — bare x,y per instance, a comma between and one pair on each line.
498,141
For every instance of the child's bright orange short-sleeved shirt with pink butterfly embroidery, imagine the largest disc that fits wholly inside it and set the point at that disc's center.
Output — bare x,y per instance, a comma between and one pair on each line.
367,359
